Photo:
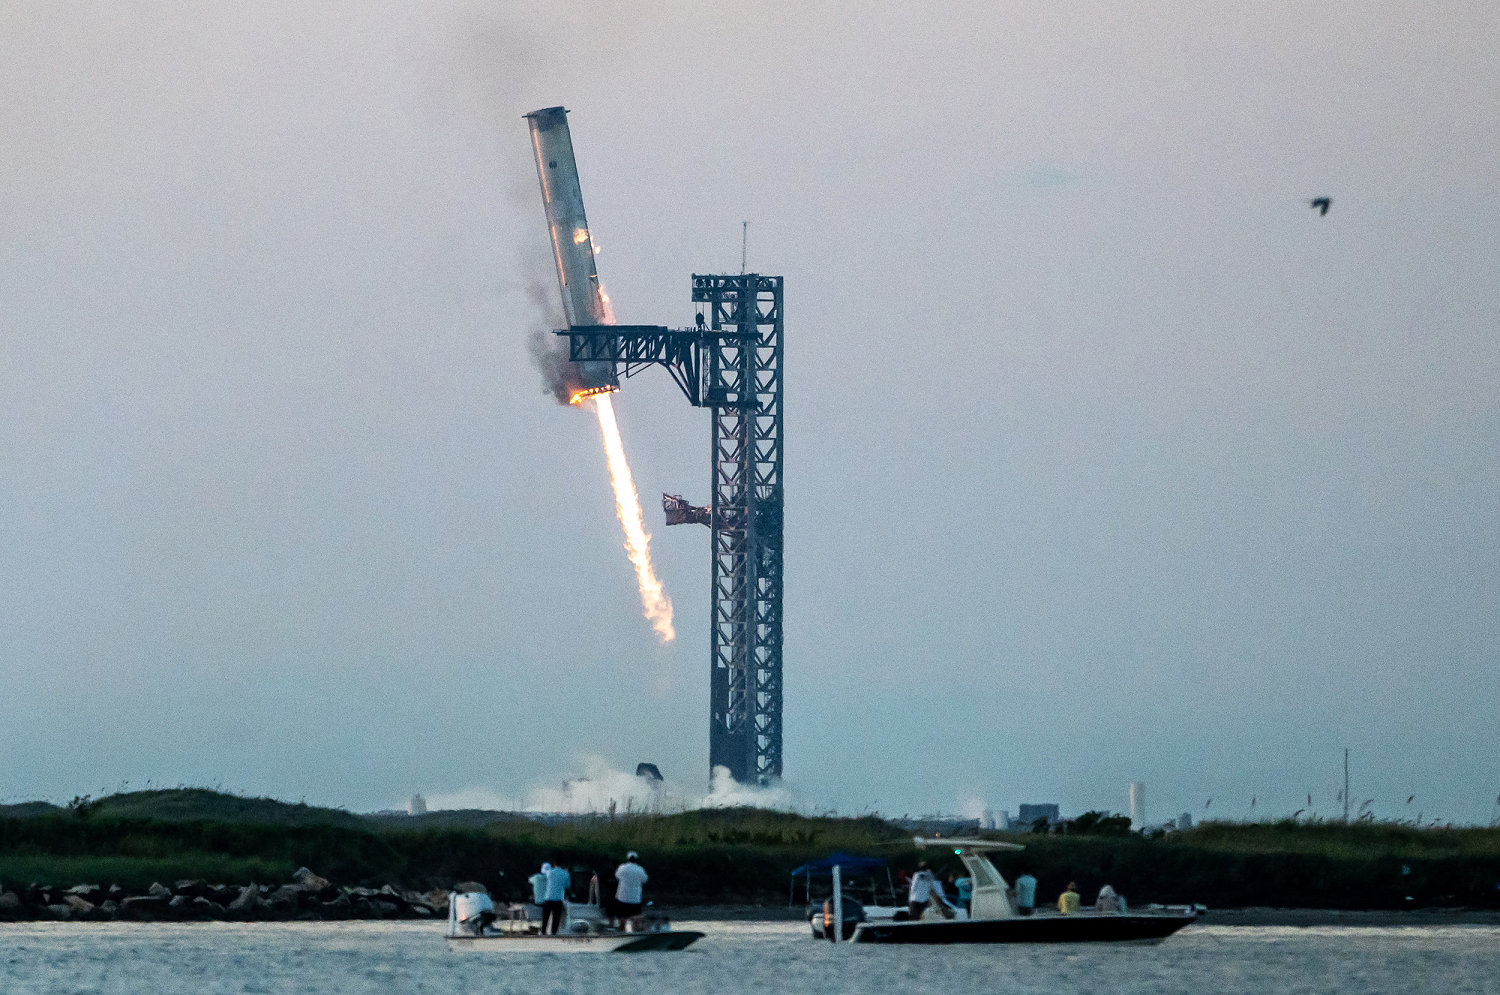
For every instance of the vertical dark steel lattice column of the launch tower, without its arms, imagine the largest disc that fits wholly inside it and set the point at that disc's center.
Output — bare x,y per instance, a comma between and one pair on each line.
743,386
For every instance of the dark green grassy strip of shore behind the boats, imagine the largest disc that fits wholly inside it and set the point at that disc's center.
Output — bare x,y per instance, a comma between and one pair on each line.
727,856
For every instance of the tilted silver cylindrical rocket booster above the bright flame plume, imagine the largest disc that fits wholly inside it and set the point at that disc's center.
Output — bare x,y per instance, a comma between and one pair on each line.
584,299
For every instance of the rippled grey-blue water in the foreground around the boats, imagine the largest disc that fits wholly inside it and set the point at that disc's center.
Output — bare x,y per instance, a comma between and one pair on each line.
736,958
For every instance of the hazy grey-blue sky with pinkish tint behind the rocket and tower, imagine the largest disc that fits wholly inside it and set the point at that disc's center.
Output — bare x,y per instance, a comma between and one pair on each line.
1108,458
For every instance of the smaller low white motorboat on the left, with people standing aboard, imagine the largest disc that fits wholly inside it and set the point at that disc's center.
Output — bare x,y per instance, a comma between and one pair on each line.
476,925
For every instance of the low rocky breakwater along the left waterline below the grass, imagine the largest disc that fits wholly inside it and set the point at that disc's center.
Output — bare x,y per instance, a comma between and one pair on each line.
305,898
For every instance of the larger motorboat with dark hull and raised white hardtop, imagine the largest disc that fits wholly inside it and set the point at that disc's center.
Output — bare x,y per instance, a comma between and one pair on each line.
994,919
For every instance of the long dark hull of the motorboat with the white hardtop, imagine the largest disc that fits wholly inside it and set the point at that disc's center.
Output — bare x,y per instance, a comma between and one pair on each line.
1147,928
